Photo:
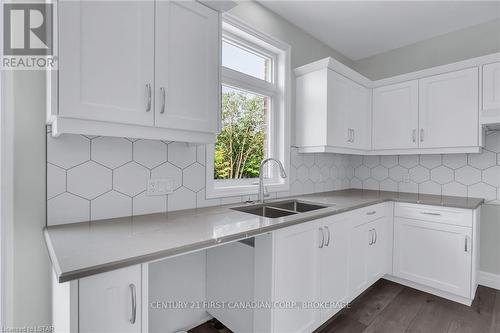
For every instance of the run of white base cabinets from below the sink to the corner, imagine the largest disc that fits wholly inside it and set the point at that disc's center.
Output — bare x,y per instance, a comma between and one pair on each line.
317,262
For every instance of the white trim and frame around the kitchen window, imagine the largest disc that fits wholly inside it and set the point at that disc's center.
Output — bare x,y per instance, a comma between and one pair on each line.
281,99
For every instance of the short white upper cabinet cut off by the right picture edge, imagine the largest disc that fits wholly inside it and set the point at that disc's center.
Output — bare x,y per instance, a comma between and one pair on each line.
491,94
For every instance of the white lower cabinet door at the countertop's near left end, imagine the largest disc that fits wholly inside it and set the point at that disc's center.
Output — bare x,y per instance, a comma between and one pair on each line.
106,301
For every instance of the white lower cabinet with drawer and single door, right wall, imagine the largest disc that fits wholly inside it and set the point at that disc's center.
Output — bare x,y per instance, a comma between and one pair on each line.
435,251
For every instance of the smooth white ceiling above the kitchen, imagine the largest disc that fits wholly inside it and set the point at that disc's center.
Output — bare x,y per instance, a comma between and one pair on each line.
359,29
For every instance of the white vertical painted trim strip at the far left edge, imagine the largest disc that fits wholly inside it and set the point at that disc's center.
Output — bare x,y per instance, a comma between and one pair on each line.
6,197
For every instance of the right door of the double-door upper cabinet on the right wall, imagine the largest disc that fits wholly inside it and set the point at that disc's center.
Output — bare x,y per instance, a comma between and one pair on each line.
449,106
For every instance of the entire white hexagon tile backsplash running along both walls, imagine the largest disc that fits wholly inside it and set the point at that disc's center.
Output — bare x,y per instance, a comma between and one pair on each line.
93,178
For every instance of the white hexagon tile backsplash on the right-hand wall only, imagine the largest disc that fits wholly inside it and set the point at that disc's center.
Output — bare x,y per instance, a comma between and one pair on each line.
473,175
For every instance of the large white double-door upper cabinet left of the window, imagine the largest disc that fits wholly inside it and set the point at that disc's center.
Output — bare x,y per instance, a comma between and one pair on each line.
147,69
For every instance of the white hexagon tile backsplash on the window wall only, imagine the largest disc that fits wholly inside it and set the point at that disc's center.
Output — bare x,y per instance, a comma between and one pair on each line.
93,178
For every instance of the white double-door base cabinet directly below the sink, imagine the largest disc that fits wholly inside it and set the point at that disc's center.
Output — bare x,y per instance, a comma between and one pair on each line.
311,268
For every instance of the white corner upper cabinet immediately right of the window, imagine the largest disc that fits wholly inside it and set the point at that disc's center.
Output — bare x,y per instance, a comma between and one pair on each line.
333,113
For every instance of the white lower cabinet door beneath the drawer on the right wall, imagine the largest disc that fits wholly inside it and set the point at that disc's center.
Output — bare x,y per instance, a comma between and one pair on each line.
433,254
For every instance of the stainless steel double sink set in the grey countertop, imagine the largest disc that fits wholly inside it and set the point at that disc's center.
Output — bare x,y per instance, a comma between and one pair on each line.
280,208
